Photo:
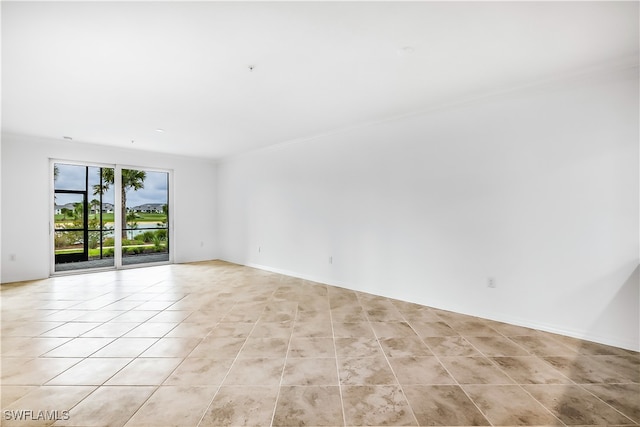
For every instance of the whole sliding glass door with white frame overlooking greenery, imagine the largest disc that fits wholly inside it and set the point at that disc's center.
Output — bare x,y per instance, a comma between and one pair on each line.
108,216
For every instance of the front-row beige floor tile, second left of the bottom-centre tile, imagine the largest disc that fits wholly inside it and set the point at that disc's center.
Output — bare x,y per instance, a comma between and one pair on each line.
177,406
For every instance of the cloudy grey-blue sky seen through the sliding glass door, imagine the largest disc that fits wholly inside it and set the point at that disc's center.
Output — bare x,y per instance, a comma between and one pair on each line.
72,177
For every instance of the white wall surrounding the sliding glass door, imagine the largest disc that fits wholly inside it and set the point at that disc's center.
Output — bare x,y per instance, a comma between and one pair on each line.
26,198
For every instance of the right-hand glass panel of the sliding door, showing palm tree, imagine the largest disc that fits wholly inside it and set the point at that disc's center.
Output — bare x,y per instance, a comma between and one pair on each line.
145,216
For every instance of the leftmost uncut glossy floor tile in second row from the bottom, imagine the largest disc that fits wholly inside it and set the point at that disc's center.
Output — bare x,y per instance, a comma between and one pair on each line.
92,371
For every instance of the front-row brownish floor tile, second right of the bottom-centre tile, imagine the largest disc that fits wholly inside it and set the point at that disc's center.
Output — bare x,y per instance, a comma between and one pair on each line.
443,405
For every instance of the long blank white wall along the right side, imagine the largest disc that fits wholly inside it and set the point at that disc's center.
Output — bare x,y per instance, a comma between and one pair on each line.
537,189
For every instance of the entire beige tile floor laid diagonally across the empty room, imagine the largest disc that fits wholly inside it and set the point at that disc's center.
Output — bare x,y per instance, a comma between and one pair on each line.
216,344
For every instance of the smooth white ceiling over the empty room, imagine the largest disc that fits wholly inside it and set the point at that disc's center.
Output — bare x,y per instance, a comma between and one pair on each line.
113,72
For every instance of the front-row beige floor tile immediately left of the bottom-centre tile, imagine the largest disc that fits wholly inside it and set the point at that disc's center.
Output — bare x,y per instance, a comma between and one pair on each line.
242,406
